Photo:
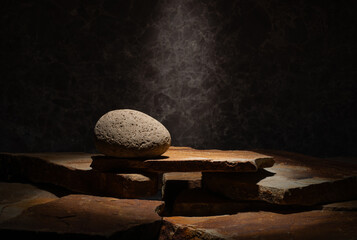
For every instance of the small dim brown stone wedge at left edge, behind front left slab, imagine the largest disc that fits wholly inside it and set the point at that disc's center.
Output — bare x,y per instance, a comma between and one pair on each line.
17,197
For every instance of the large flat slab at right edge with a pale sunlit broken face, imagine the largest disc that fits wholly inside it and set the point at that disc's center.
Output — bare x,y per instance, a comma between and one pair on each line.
295,179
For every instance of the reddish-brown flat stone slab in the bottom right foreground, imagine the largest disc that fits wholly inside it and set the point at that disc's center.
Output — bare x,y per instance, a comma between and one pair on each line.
263,225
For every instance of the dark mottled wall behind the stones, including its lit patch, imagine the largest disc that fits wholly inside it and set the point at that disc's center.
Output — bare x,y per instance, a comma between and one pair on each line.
228,74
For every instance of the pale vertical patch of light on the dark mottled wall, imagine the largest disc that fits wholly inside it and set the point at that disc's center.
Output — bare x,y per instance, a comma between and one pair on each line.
180,53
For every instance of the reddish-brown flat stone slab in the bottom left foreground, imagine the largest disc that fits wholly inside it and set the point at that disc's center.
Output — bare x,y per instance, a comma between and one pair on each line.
84,216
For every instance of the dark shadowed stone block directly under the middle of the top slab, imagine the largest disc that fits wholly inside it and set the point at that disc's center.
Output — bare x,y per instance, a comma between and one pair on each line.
184,196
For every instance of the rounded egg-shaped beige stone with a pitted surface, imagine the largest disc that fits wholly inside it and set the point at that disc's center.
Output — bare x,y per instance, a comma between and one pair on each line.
129,133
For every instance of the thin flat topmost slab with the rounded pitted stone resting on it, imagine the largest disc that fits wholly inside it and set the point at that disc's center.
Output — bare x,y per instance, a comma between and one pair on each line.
185,159
